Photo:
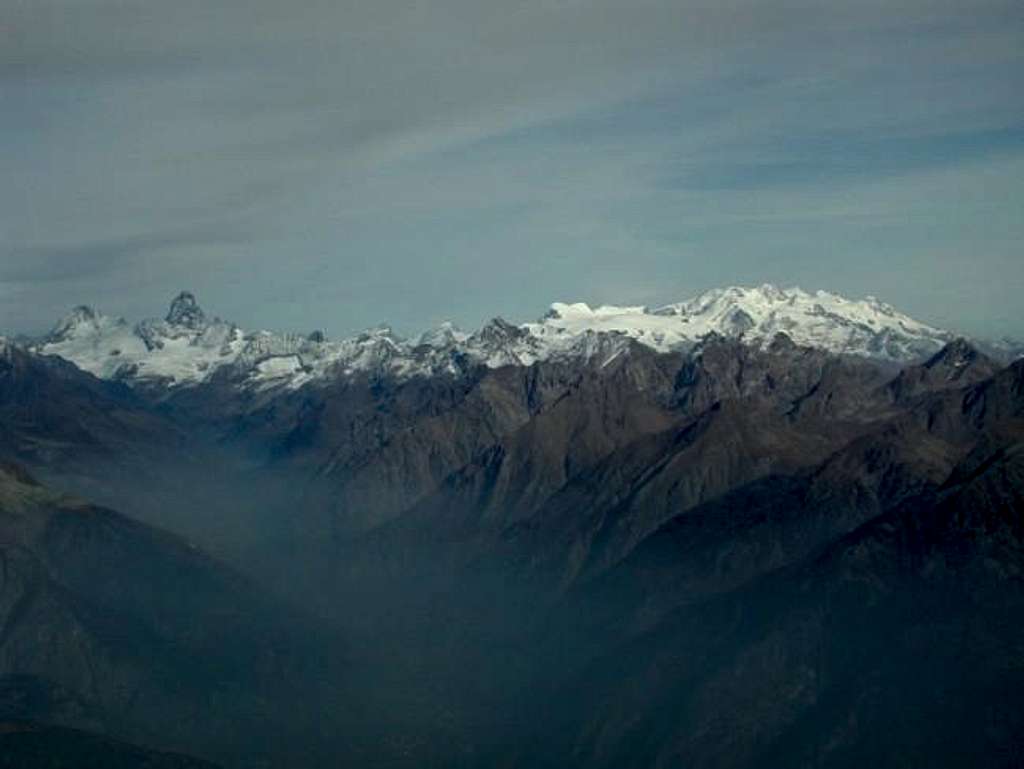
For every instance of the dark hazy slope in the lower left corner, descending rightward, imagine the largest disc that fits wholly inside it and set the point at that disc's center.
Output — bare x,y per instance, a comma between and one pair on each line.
160,645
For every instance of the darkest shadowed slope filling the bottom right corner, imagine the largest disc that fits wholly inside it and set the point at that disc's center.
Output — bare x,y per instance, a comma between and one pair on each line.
900,646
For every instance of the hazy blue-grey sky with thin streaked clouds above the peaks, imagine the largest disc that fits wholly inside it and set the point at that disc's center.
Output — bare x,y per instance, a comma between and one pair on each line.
335,165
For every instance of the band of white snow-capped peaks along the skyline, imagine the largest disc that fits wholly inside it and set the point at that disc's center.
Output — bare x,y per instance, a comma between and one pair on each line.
188,347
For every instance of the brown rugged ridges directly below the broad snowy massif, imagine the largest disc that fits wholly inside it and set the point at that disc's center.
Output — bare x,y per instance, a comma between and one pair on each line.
582,483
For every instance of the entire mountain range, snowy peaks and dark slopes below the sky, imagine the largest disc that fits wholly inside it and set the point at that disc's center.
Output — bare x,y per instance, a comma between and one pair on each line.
760,528
